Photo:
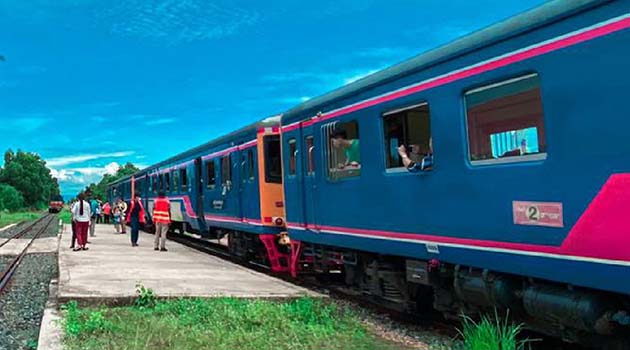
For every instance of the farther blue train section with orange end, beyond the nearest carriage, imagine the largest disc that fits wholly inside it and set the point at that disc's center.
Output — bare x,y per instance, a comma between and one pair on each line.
231,186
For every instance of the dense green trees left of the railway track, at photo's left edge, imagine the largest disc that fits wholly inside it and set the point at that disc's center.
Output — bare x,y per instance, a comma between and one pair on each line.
26,182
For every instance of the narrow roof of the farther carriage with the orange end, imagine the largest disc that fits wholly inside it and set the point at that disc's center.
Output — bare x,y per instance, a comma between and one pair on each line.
251,128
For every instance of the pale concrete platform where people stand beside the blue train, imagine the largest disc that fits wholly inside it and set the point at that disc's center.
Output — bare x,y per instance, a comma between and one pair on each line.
109,271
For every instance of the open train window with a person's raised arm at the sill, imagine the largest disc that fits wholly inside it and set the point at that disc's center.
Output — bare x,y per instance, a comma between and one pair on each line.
407,130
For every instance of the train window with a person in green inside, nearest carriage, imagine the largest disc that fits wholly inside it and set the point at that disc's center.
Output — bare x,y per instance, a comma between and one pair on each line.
343,150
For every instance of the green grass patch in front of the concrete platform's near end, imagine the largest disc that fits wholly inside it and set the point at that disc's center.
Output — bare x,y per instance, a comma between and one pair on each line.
221,323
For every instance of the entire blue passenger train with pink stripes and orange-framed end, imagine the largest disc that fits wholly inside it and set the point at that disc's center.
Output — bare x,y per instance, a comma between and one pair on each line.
490,173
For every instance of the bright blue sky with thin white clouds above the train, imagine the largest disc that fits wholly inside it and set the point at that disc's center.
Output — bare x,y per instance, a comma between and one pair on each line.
90,84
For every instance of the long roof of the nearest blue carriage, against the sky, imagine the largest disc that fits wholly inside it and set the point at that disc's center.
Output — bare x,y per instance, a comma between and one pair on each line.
549,12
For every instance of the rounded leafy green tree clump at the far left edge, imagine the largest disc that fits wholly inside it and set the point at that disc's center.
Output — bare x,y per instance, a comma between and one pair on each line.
27,173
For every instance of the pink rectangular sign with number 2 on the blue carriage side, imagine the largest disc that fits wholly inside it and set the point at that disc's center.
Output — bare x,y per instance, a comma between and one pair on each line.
537,213
